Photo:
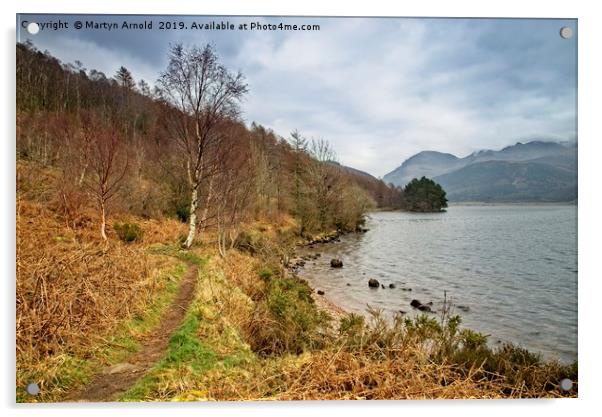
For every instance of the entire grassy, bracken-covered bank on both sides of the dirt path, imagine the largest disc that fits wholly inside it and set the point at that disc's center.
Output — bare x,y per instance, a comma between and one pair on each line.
252,332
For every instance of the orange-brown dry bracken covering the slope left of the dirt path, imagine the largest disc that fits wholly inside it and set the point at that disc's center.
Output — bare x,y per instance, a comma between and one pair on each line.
73,290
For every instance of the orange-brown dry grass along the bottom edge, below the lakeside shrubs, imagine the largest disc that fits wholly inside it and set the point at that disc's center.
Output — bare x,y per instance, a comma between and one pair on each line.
406,373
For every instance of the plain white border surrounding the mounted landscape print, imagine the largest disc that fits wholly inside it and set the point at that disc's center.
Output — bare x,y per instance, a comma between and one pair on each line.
590,289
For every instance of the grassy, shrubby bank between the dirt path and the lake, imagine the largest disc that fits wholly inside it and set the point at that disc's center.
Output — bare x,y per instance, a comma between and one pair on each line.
255,333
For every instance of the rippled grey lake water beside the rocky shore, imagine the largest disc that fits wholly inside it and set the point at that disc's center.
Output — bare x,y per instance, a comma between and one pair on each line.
514,266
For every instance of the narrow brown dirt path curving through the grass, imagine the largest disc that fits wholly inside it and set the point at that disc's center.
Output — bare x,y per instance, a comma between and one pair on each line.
116,379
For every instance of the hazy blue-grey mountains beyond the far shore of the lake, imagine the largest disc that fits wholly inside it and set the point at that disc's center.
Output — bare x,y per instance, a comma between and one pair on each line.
532,171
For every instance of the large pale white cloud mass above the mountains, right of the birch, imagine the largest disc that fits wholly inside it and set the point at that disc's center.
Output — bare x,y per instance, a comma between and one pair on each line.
378,98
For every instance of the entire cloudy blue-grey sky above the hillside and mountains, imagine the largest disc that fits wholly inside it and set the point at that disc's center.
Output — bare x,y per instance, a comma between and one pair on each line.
379,89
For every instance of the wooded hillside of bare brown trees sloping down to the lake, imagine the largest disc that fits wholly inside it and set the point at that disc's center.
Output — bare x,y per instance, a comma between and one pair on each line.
180,150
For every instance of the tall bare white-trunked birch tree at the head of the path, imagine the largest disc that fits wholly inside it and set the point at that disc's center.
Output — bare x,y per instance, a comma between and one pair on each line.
204,92
